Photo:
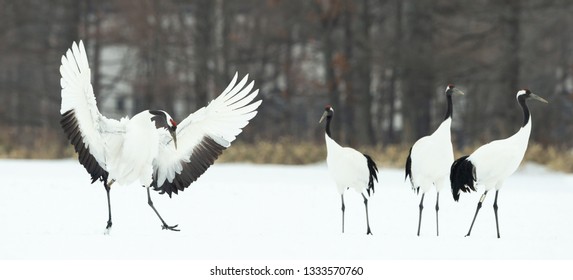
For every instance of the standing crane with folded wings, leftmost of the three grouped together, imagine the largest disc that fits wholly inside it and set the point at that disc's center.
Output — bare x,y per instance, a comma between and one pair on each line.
349,168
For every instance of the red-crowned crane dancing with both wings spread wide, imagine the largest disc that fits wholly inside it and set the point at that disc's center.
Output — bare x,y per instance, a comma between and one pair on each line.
150,148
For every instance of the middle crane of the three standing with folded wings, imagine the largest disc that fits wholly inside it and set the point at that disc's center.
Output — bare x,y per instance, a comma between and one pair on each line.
428,163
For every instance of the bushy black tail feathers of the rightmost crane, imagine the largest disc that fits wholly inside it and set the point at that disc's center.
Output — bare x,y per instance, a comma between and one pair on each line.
462,176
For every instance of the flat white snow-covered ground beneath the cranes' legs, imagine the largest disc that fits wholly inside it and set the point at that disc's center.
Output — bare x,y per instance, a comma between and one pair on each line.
50,211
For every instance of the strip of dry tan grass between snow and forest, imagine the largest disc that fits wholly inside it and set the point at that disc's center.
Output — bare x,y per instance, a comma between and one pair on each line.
45,145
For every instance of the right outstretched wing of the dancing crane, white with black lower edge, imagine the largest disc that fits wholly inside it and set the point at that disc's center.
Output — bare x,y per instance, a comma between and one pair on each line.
202,137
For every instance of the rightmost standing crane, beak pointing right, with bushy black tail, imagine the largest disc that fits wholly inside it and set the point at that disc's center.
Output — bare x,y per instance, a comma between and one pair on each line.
492,163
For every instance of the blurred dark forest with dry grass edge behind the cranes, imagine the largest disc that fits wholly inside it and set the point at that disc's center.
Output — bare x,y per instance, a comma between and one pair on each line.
382,64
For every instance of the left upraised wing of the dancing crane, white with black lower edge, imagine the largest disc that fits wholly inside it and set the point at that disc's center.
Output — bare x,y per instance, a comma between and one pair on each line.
81,120
